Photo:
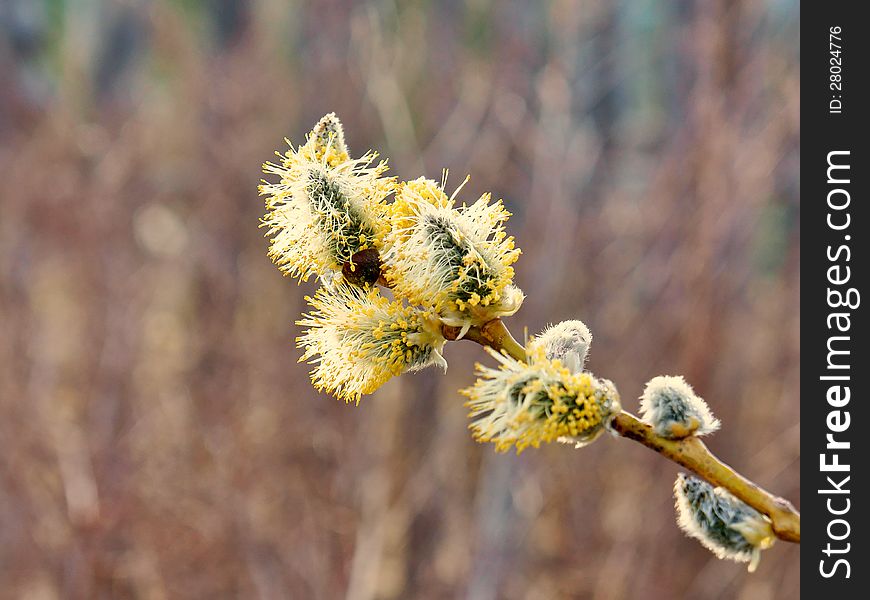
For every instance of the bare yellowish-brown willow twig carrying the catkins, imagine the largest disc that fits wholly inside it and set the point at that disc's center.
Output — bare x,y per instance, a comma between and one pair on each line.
689,452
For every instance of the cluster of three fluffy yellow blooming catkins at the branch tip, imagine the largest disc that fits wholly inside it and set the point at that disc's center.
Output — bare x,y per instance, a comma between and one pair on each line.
328,216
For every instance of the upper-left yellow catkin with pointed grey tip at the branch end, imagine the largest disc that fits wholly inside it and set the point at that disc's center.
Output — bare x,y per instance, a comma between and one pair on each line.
326,207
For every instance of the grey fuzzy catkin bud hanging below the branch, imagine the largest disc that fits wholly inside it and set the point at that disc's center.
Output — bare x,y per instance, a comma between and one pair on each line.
725,525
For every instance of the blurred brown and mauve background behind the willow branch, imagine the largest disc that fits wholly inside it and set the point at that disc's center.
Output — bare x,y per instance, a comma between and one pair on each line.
158,438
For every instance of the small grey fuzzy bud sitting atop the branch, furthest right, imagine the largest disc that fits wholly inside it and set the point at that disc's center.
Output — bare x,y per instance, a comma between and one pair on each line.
672,408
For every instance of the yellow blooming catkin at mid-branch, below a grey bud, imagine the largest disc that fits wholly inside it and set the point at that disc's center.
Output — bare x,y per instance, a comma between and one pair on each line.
525,404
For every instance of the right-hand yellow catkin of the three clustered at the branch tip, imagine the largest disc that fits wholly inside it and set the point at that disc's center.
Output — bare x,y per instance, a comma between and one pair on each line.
453,260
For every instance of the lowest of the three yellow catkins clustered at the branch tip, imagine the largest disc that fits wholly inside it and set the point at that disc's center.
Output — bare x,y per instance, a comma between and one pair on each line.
358,340
